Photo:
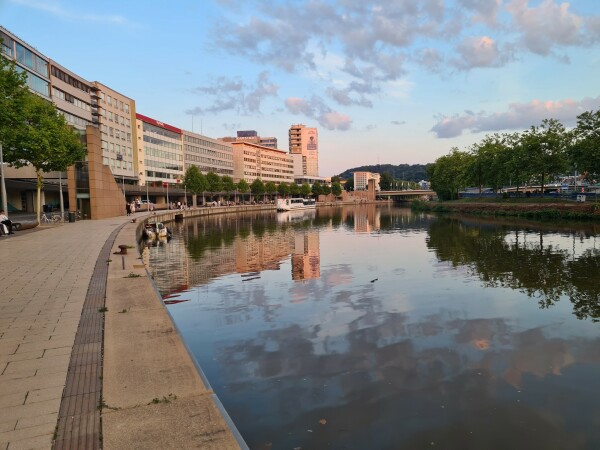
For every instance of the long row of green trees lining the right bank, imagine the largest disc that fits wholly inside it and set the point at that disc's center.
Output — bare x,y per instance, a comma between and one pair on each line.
536,156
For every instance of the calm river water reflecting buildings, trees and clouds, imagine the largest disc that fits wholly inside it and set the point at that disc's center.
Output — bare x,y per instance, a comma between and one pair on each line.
377,328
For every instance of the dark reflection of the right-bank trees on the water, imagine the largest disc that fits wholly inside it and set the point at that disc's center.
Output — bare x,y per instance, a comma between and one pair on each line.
564,264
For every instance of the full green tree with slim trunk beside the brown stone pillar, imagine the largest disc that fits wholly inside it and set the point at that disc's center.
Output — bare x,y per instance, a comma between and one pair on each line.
46,142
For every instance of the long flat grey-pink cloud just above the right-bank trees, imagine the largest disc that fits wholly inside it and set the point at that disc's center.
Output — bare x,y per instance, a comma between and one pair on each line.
519,116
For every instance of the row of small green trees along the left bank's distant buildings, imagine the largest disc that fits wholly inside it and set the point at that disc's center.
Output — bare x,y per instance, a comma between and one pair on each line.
212,185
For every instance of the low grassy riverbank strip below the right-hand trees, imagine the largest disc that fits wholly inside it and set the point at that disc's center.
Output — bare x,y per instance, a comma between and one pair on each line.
548,209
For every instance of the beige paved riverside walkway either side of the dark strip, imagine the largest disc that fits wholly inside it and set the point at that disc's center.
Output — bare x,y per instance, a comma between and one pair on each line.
44,279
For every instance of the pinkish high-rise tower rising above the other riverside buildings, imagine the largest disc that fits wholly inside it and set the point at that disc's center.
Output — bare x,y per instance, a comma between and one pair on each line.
304,146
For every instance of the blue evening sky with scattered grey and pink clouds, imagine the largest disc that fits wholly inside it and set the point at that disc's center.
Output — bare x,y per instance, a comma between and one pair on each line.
385,82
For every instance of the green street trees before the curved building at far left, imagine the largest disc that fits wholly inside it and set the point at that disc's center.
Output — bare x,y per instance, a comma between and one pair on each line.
32,131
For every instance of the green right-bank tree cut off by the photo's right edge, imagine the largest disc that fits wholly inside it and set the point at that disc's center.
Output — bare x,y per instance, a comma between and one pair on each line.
584,154
